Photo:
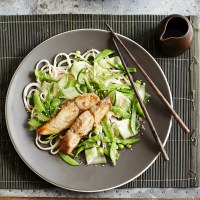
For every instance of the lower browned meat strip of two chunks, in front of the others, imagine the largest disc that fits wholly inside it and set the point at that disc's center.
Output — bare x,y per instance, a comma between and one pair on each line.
81,127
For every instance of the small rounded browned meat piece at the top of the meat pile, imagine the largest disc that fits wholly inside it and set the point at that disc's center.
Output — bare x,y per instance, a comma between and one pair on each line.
86,101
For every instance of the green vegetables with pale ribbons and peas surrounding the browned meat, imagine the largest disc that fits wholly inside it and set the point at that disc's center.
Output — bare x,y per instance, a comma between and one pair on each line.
101,74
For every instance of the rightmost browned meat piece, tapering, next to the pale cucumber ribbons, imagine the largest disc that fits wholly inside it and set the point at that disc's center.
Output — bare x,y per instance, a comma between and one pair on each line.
100,110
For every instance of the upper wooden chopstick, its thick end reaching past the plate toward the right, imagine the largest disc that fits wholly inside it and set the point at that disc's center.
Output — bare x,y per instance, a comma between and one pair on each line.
173,112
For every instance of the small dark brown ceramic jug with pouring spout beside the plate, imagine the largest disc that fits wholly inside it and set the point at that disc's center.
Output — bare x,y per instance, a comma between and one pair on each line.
173,35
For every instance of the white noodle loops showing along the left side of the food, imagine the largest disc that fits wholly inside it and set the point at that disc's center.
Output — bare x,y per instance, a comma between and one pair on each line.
56,71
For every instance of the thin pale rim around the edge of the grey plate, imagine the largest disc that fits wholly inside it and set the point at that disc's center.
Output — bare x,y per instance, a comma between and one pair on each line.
9,131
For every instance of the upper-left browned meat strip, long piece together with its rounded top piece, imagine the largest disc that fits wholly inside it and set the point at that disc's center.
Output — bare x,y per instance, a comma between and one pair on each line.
68,113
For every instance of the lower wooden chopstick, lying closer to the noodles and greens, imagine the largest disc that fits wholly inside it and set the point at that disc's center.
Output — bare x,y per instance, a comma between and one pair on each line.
151,125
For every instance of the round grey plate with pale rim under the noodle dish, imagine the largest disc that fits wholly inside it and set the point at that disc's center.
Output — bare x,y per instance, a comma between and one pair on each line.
86,178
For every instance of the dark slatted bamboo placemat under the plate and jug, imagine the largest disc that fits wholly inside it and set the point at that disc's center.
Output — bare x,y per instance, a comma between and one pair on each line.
20,34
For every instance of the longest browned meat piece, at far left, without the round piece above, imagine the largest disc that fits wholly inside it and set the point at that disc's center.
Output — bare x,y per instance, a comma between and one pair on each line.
62,121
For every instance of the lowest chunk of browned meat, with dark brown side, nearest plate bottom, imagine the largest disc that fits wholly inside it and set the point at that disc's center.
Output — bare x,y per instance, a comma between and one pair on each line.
69,142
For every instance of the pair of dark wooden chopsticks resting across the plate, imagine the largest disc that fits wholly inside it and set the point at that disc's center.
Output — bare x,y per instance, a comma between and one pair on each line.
116,39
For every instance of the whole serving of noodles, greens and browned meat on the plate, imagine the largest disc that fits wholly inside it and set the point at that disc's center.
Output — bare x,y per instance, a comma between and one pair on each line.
83,104
